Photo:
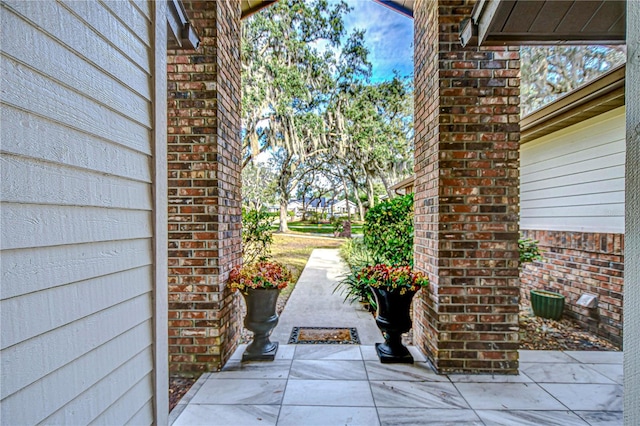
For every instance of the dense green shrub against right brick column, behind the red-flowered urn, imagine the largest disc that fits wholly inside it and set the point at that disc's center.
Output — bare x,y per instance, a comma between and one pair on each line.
388,231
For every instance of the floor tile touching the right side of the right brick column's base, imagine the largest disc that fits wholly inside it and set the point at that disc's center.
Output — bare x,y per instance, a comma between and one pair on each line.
563,373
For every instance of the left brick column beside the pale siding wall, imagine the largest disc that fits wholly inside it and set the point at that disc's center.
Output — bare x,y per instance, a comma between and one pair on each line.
204,167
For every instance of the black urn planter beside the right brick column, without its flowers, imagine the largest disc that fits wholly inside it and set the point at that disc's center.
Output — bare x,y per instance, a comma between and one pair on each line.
393,319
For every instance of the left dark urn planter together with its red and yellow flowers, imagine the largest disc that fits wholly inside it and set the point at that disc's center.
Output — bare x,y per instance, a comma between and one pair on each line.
260,284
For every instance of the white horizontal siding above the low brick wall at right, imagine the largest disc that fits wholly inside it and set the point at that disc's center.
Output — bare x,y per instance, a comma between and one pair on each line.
573,179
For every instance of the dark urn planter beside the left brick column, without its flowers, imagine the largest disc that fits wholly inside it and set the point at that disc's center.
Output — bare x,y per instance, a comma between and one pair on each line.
261,319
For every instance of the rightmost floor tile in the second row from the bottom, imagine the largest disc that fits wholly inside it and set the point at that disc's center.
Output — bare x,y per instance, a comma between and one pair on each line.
587,396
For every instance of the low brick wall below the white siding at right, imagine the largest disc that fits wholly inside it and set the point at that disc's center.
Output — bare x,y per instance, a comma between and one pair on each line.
576,263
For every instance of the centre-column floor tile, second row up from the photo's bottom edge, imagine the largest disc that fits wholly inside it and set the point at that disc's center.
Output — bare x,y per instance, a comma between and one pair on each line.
339,393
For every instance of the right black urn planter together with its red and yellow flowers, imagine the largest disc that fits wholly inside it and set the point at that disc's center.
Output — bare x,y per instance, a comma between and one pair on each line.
393,288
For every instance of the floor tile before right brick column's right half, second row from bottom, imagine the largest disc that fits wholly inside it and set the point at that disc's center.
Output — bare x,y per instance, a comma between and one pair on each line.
507,396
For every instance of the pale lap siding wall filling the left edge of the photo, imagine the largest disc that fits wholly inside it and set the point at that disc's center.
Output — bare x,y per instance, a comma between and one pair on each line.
77,212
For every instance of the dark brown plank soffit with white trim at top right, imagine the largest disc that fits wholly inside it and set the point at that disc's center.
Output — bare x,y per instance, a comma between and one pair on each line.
518,22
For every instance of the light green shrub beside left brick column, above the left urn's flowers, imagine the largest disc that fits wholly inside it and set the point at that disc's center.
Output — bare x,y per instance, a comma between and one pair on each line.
256,235
